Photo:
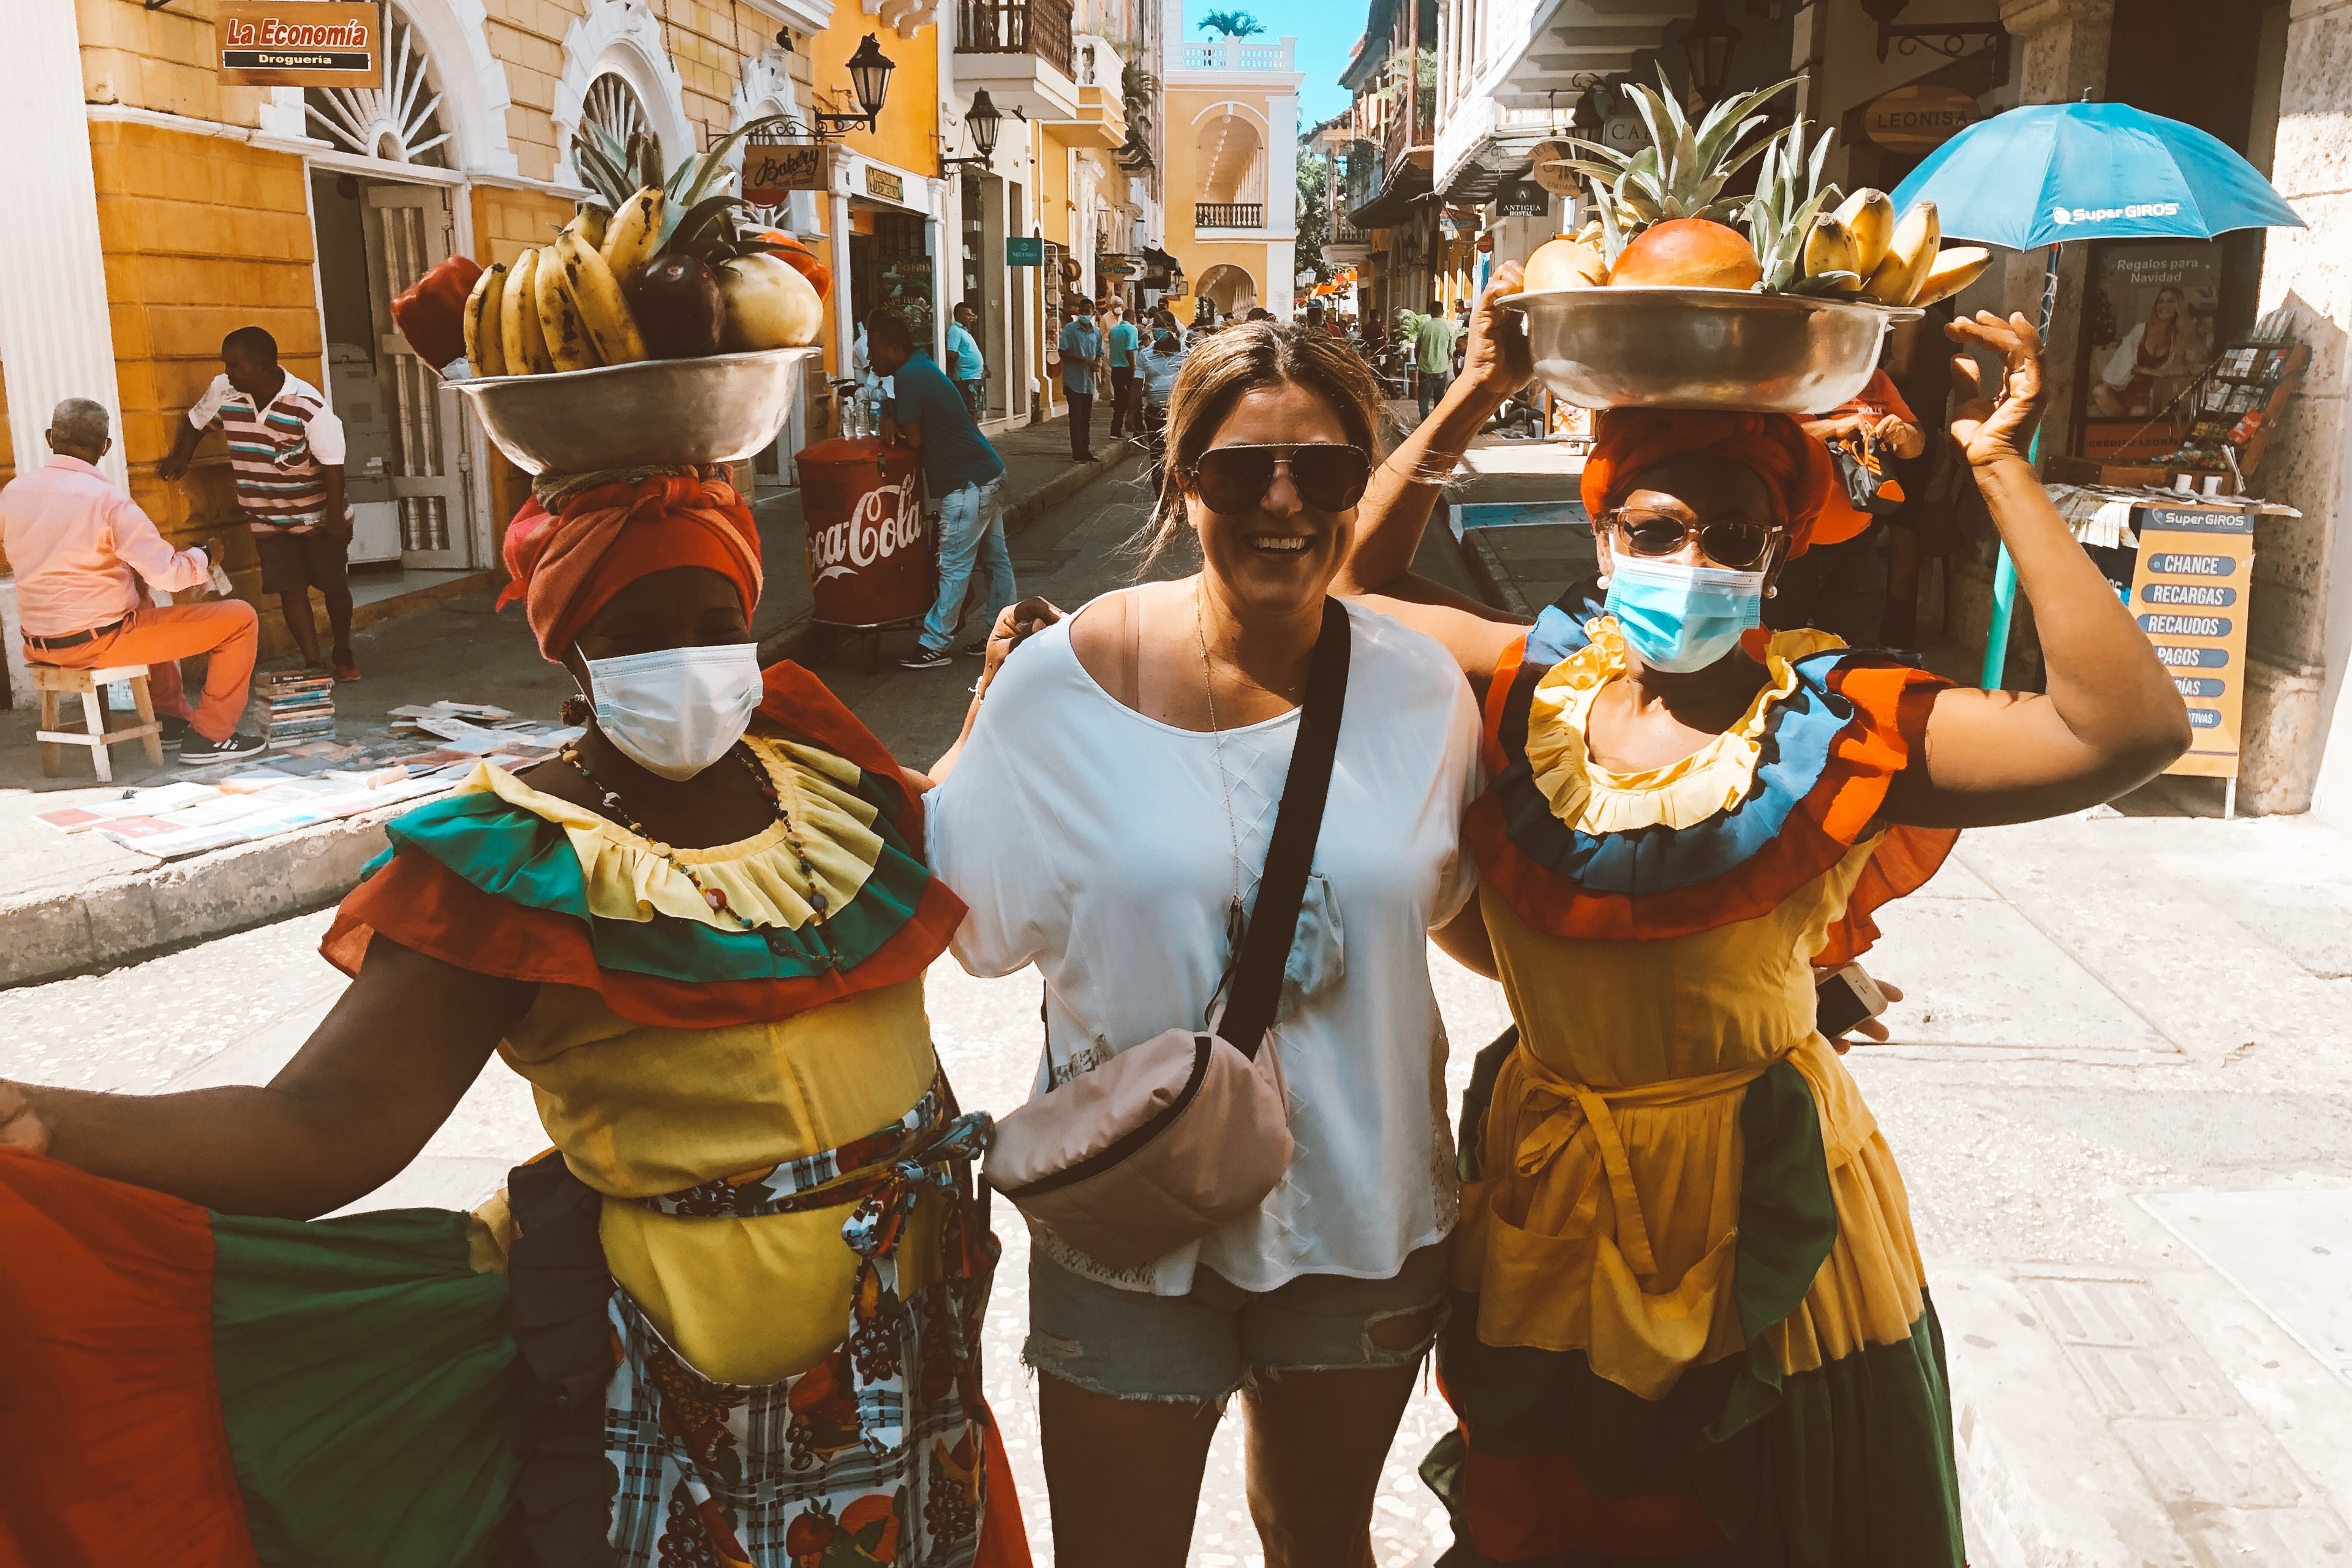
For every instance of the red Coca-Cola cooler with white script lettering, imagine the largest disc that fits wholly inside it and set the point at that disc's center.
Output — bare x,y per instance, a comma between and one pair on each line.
874,558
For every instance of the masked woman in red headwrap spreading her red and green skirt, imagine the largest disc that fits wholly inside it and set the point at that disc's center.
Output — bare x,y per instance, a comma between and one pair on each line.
730,1318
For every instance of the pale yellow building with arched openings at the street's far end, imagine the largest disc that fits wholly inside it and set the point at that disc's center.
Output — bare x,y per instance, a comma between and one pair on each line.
1231,168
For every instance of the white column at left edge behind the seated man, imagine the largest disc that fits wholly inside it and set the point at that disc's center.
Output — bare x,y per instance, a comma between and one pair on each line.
55,335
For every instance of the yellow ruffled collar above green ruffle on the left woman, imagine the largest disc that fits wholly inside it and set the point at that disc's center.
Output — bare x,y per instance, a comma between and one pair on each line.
632,878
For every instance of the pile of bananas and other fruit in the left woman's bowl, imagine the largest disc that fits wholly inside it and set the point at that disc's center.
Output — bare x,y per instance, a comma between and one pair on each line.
662,274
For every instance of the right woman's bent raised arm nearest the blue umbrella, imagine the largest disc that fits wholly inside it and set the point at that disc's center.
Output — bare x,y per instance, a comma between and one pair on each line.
2111,718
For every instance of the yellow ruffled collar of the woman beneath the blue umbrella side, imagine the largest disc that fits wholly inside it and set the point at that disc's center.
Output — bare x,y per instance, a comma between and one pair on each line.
1676,796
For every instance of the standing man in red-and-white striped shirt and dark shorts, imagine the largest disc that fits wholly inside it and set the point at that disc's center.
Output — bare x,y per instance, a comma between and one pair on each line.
286,450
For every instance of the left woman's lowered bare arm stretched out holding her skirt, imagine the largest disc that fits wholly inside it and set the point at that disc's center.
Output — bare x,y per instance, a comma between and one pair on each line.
347,1115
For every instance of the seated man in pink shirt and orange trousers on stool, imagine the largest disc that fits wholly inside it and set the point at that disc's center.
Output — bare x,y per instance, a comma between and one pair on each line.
81,551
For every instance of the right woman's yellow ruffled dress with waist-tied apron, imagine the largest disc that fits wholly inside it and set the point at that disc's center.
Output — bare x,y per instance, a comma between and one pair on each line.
1690,1315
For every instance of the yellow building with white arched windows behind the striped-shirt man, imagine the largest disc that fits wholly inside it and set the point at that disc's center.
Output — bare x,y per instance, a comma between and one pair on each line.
159,208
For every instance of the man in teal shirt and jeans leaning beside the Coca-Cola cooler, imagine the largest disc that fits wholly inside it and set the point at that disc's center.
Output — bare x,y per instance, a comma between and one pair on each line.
968,478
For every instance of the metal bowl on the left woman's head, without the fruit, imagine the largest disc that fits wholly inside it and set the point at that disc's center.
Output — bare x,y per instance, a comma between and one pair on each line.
711,410
